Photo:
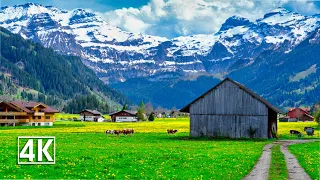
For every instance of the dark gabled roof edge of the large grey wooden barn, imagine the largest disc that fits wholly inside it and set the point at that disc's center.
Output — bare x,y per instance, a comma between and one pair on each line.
187,107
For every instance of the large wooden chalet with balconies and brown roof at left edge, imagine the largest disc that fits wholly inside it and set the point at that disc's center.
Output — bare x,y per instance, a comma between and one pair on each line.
26,114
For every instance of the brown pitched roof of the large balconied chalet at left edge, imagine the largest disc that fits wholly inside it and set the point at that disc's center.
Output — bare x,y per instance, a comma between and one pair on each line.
27,106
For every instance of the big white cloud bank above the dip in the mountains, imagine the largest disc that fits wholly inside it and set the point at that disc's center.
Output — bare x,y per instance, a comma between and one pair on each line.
172,18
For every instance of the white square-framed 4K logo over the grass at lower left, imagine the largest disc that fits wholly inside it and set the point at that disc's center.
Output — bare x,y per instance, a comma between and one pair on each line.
36,150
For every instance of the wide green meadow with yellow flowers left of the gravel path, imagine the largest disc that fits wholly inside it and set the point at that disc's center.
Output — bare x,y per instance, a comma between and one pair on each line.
84,151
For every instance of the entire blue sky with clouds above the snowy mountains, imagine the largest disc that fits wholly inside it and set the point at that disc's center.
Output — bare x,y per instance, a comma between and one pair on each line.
172,18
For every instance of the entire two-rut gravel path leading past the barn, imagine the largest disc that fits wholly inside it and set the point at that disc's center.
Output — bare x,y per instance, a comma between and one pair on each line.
295,171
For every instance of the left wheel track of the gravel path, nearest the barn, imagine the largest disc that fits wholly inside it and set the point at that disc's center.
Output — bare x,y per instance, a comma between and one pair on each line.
261,169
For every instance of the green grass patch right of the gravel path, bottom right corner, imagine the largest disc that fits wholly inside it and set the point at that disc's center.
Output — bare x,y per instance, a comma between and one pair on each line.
308,155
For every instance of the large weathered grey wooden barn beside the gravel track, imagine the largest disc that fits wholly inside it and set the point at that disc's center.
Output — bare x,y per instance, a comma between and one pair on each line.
230,109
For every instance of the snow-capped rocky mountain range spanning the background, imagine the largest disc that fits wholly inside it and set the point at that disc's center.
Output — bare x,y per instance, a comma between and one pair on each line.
118,56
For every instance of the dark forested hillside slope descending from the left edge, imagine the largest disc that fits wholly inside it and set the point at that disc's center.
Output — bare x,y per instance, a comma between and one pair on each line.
30,71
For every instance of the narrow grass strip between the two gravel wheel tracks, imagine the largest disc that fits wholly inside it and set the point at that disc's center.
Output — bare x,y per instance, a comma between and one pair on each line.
278,168
